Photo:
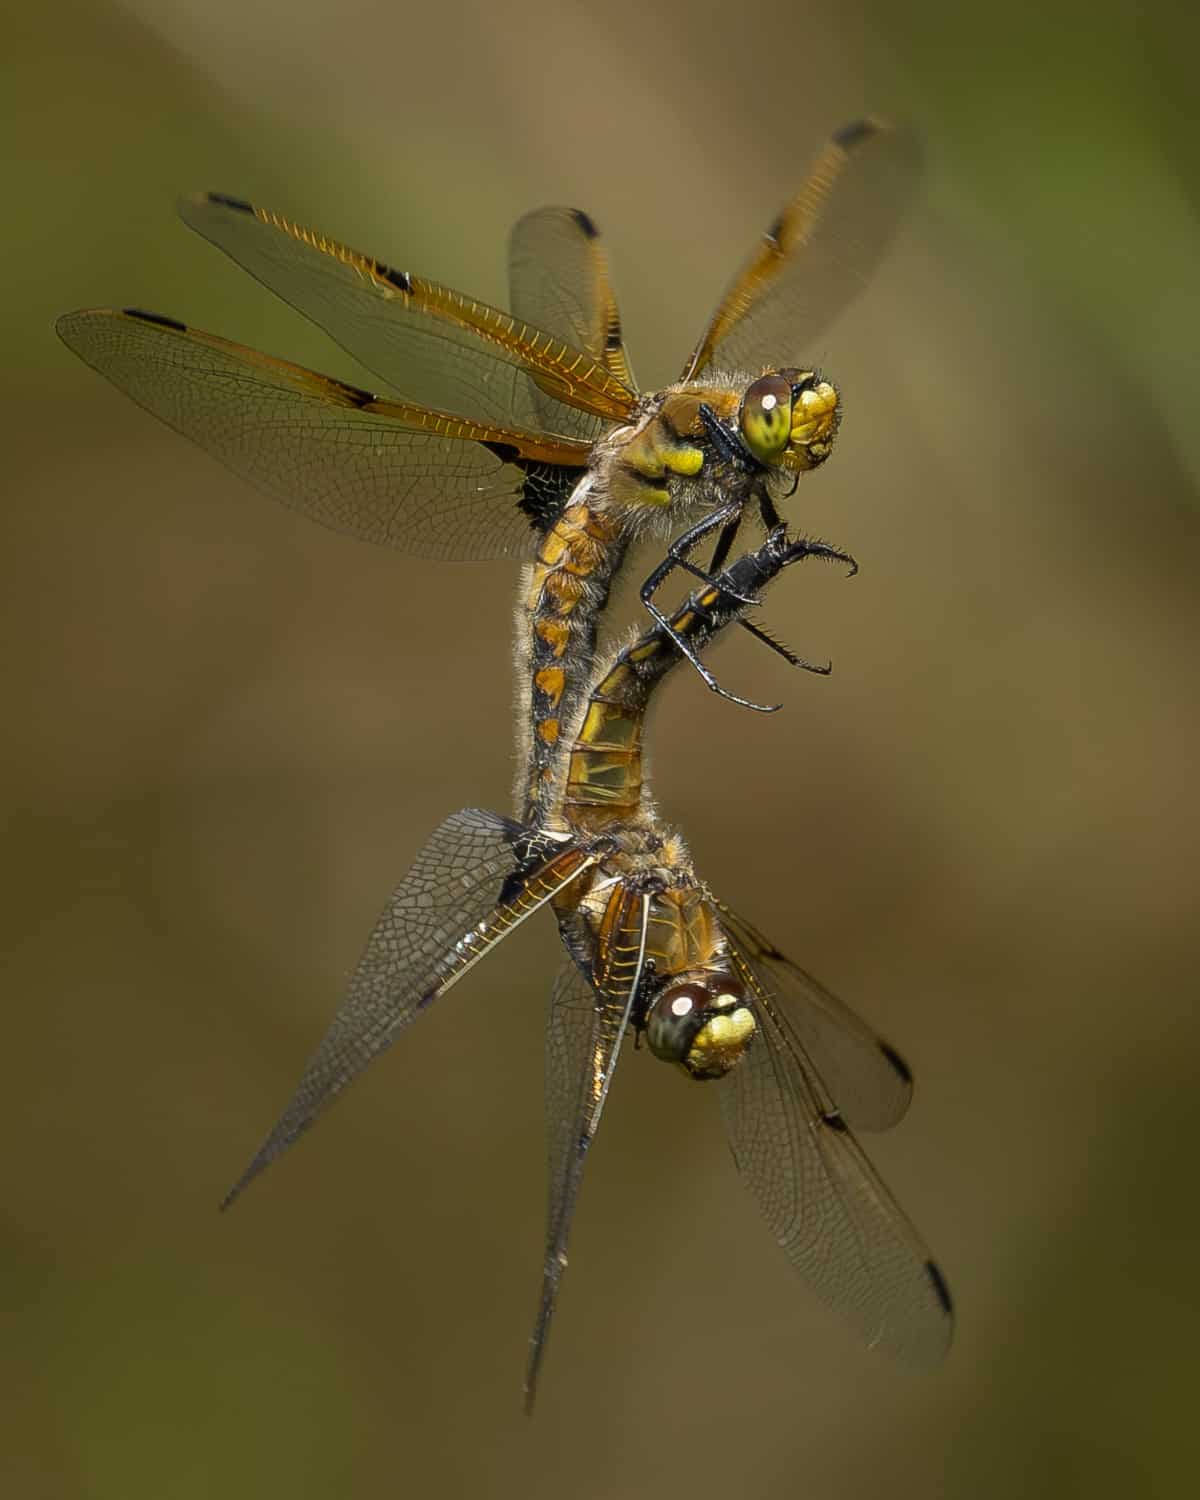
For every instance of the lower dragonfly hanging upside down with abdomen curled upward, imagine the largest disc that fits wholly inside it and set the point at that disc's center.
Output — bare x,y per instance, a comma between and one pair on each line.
653,955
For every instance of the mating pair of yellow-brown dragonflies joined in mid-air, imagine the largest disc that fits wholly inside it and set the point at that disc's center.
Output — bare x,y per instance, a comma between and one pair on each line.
523,434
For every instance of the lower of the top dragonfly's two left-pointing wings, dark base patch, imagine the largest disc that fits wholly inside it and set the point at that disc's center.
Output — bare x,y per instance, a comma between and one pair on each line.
382,470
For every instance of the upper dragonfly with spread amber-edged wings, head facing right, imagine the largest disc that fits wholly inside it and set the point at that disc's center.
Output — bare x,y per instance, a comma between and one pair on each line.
523,433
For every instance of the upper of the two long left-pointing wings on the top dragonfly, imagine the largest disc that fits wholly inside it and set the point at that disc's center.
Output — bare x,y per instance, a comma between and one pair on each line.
428,343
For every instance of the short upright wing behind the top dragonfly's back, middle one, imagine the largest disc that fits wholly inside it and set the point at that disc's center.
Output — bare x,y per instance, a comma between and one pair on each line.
559,280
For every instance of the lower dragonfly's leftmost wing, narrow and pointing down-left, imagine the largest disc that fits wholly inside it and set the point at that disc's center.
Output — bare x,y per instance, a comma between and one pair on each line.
463,896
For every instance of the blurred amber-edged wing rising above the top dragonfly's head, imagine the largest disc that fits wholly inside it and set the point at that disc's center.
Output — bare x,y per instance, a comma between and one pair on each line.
818,254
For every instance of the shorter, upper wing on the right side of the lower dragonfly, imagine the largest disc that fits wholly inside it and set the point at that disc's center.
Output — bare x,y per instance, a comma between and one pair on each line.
868,1081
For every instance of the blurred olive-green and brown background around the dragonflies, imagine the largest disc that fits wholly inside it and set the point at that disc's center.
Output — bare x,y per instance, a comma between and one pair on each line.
230,731
